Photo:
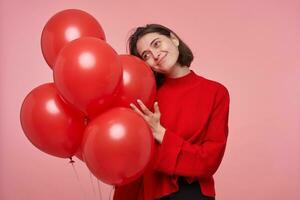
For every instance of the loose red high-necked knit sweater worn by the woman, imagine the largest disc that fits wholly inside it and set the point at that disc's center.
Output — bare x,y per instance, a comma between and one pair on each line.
194,111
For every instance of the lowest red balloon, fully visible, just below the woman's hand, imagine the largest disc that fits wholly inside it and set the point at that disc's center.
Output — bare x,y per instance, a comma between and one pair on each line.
118,146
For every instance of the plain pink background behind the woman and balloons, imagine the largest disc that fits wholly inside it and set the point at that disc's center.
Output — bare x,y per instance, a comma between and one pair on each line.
250,46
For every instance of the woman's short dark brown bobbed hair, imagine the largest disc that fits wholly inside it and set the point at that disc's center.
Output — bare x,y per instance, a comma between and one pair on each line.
185,57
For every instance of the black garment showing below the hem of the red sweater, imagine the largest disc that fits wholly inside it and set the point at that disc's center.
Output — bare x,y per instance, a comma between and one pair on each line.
187,192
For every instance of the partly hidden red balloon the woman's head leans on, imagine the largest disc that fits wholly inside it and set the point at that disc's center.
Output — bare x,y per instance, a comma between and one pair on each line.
138,82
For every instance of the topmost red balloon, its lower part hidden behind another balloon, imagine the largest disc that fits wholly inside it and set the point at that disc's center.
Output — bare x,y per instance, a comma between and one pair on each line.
64,27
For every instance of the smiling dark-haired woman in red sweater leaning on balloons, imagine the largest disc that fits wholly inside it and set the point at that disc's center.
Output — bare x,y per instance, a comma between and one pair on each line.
189,122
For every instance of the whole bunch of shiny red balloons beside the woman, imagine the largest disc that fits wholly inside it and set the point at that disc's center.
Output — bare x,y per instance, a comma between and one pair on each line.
85,112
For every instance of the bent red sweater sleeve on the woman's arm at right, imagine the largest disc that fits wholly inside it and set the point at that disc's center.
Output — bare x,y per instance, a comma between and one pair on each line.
179,157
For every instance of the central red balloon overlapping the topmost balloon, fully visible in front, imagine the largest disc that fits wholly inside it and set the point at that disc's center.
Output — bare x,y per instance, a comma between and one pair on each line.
87,74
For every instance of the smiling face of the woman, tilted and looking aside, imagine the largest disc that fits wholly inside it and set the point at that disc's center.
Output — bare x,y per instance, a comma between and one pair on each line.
159,51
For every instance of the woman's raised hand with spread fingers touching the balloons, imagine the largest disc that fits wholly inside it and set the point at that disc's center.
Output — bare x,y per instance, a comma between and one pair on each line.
153,119
